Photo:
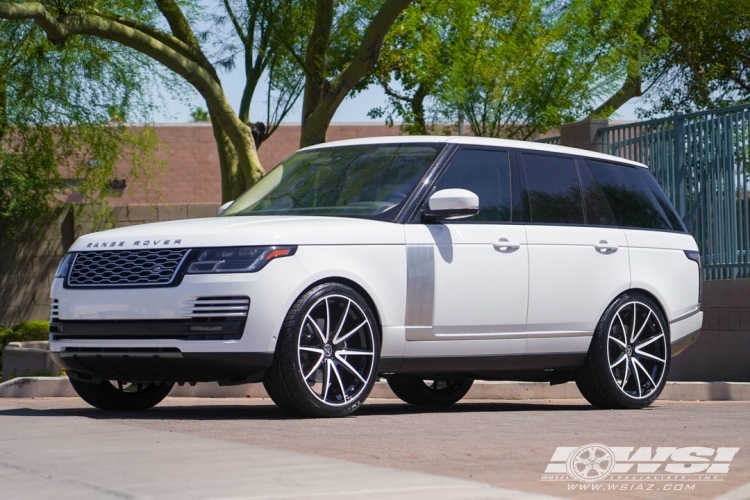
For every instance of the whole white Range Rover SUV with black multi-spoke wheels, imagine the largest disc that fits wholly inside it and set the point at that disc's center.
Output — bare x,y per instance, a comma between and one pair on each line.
429,261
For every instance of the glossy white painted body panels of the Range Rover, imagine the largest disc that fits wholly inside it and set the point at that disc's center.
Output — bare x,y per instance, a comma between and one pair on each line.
438,290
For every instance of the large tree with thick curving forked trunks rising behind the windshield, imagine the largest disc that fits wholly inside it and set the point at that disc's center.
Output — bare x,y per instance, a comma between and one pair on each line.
139,26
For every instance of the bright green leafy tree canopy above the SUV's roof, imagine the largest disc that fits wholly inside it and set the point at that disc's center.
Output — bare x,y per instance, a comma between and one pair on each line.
511,69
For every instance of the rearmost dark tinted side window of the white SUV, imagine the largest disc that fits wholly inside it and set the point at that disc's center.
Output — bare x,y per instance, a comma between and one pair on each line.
635,197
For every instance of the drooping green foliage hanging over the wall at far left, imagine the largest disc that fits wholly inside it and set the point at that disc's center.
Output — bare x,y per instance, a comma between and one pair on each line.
58,136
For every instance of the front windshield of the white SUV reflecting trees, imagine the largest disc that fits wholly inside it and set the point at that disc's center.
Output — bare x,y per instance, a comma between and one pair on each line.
347,181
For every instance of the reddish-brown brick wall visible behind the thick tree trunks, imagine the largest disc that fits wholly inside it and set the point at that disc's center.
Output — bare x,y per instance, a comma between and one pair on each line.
191,164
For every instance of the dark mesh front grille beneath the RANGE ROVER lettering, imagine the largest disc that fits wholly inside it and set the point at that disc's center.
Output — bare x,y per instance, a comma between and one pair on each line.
115,268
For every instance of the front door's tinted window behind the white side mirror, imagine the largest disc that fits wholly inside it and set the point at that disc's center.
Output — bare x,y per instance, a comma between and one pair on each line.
486,174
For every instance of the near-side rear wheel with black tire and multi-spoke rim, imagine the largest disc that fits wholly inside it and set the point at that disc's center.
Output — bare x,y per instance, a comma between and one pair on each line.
606,379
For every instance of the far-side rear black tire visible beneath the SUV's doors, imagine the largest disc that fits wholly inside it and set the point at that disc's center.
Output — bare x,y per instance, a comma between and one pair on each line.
440,392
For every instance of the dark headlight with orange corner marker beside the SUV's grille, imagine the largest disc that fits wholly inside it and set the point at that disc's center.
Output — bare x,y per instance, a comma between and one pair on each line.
236,259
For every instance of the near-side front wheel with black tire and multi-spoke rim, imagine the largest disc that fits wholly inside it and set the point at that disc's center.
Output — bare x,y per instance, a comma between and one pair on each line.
319,367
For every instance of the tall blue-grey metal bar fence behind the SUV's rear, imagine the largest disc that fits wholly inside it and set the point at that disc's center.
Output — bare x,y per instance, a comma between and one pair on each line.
702,161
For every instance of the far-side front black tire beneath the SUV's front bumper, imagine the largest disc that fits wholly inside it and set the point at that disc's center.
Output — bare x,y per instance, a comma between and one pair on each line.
123,396
